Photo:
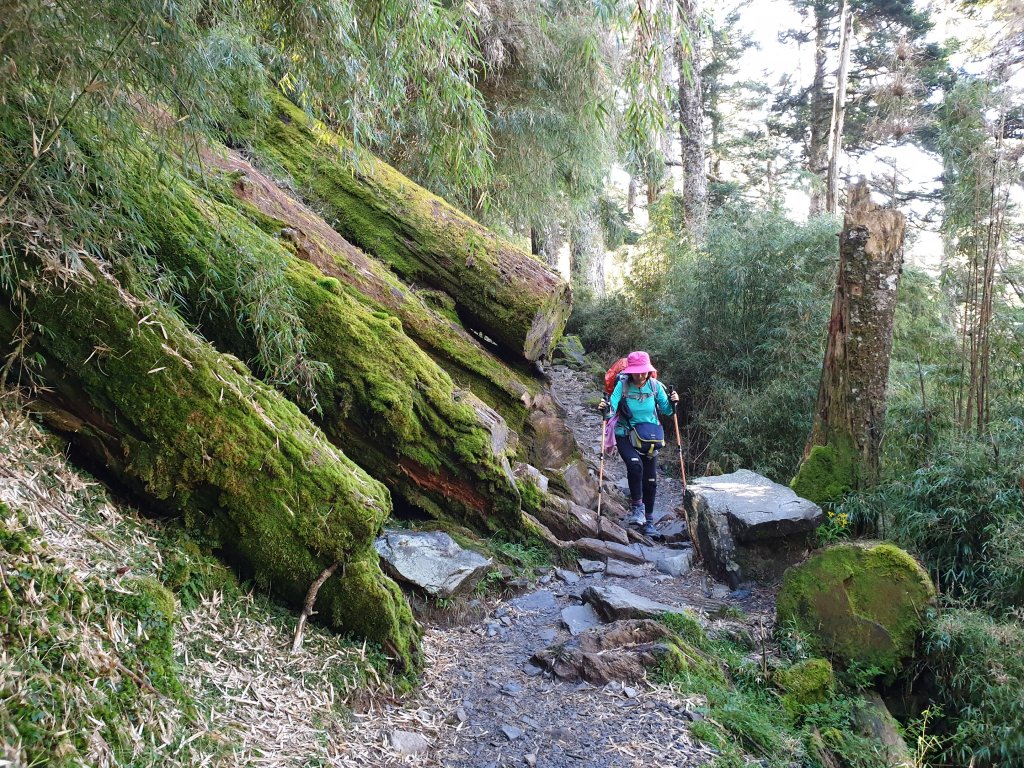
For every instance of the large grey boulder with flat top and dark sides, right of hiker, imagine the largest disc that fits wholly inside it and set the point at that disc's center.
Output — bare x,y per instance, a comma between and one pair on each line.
749,527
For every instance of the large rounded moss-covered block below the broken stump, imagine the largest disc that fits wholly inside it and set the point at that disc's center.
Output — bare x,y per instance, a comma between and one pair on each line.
862,605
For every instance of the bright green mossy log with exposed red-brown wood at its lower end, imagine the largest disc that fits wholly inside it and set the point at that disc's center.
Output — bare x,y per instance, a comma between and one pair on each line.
386,402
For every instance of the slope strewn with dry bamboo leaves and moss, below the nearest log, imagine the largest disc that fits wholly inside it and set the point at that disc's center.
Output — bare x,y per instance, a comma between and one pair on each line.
125,643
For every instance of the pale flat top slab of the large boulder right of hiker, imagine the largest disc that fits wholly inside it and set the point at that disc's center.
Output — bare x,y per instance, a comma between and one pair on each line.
757,508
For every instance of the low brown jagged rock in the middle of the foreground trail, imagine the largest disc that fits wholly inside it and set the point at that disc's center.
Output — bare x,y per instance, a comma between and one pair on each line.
624,651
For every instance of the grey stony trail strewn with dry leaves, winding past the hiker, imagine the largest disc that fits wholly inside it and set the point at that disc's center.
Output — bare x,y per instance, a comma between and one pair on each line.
484,703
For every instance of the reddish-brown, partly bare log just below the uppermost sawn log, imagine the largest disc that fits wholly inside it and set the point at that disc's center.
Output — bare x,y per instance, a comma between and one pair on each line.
313,240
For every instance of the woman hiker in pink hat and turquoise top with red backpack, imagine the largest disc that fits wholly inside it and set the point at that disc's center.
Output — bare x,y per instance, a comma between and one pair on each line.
636,401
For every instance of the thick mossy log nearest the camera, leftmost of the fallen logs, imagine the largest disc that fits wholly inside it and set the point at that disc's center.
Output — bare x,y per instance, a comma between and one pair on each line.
191,431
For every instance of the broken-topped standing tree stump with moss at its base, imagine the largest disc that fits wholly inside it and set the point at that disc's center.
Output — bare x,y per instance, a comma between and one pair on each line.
842,452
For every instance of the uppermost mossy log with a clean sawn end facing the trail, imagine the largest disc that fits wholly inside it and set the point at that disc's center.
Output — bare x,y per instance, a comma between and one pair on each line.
498,290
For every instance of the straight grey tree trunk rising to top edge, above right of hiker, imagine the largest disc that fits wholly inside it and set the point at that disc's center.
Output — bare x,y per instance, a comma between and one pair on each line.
692,119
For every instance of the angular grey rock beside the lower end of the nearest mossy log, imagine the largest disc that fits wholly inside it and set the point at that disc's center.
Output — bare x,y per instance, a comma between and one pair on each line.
431,561
